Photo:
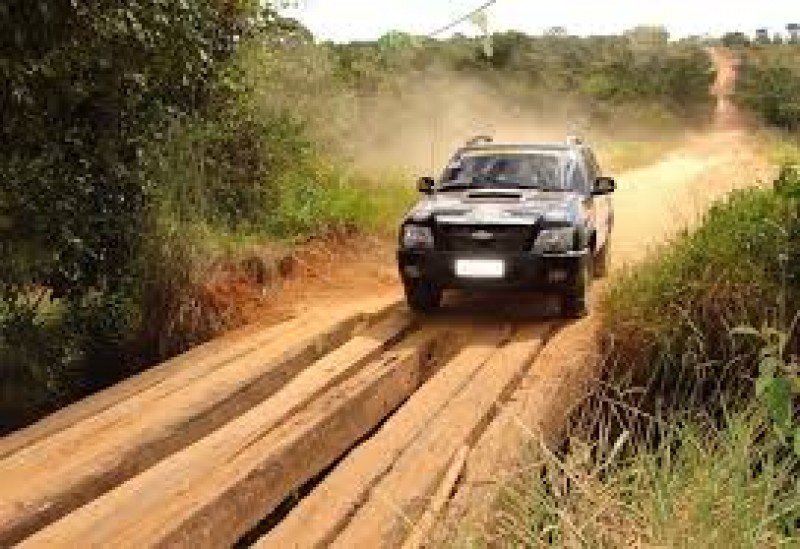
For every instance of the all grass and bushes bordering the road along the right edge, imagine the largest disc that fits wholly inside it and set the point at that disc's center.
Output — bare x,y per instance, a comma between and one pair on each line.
692,437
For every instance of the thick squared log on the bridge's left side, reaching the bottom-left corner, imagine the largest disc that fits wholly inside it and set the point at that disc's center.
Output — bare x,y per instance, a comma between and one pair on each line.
59,473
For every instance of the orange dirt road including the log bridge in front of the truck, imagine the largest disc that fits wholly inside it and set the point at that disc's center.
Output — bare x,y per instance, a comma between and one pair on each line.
380,420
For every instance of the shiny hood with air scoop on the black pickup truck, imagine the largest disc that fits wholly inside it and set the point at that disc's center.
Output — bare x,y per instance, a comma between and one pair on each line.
497,207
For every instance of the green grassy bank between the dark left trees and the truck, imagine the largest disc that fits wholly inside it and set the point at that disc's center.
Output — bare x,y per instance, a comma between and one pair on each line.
211,210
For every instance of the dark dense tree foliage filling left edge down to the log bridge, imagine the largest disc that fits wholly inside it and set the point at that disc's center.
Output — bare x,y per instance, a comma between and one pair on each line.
87,87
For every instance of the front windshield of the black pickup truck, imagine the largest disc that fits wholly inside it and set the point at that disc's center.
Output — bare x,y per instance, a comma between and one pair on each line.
516,170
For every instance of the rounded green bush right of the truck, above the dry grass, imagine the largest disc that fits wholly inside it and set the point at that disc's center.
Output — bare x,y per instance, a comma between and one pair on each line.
669,321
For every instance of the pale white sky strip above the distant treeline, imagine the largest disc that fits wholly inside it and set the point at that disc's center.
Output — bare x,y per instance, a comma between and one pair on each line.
346,20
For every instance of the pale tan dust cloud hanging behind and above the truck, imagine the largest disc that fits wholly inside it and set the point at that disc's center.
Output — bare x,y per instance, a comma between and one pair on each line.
414,128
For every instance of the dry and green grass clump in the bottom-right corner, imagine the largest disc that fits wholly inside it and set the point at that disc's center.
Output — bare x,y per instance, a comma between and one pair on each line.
695,485
